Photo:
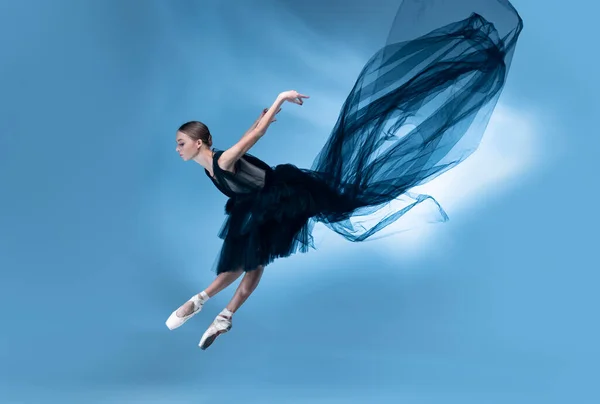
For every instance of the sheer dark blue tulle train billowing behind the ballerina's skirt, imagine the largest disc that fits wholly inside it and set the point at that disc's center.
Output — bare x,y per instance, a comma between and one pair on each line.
418,108
